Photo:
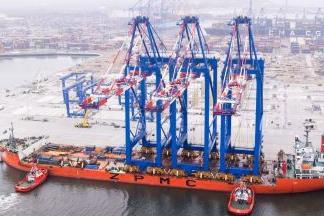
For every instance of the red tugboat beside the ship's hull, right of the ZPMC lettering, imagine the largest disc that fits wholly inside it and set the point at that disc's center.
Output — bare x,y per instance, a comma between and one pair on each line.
241,201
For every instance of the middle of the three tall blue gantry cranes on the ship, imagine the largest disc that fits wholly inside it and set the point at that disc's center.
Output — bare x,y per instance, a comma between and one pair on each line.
188,61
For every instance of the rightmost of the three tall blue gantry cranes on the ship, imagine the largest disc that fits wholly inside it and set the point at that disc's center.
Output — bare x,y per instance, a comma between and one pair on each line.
241,66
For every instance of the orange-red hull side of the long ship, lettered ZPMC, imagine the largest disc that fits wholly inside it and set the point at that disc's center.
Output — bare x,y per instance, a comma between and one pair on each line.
282,185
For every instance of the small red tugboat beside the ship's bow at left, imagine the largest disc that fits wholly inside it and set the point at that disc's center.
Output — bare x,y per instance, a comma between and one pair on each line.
34,178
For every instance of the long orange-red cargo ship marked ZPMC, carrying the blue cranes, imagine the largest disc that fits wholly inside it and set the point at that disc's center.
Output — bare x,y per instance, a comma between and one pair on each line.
300,172
